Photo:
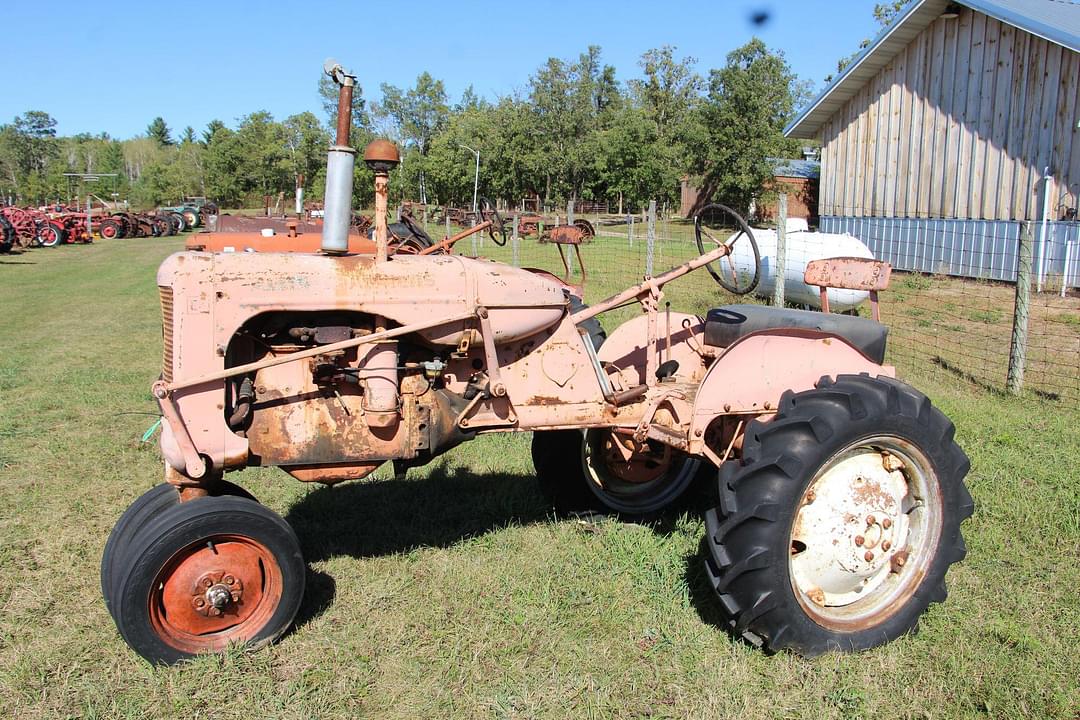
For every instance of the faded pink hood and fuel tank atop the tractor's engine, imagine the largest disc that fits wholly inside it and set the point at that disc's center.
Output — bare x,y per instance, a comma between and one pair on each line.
233,288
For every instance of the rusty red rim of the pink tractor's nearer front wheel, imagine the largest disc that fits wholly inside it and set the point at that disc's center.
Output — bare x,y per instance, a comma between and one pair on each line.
220,591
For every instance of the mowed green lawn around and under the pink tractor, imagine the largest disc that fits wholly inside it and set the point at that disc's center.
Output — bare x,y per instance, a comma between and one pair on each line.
455,594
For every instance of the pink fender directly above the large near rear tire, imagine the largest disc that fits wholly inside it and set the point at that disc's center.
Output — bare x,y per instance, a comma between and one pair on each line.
752,374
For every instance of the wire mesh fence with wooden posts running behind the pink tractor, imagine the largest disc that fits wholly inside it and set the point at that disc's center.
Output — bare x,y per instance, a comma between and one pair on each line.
952,305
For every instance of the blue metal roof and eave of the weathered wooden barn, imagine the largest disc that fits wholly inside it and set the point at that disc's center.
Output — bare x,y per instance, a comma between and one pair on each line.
1057,21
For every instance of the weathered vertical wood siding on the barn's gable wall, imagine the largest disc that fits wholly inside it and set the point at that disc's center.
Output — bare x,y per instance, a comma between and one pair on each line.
961,125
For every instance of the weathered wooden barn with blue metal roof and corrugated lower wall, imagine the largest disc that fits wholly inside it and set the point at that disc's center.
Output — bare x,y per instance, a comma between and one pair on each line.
960,123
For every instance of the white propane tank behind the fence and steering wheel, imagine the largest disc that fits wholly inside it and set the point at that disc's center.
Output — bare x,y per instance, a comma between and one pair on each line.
803,247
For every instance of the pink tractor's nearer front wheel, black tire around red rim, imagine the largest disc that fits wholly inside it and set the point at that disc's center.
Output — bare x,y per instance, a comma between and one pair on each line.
207,574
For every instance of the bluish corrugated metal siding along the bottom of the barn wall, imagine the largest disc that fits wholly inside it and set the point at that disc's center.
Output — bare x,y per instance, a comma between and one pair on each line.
967,249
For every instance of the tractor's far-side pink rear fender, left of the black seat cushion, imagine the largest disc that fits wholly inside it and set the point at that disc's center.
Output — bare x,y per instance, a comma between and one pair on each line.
626,348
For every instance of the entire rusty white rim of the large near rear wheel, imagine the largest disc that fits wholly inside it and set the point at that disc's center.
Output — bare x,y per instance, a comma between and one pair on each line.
866,533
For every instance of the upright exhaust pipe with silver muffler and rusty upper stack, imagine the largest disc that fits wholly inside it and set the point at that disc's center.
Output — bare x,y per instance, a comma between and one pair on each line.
341,160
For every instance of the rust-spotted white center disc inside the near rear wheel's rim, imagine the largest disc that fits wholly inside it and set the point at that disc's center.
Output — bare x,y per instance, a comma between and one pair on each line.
852,531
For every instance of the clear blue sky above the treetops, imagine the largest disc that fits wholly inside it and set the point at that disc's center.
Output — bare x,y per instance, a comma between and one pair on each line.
117,65
